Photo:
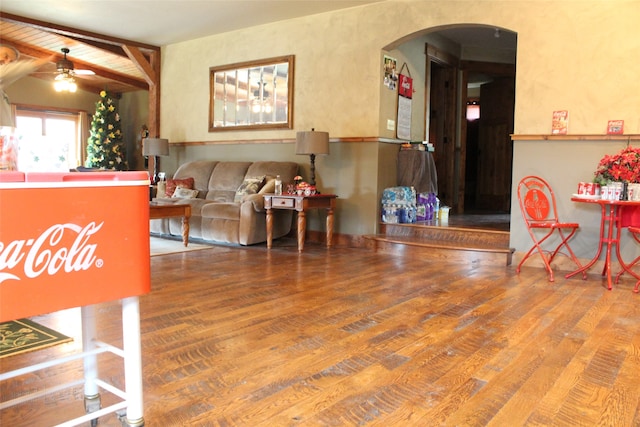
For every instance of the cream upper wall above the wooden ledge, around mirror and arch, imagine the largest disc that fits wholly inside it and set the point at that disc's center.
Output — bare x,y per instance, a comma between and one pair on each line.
567,55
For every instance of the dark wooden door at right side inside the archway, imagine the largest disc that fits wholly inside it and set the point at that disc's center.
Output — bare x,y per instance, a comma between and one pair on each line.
495,150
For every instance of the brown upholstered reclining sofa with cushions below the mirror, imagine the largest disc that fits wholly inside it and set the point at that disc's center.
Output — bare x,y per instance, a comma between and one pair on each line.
219,213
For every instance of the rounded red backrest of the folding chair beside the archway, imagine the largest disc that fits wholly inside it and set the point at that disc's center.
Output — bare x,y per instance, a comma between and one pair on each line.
537,201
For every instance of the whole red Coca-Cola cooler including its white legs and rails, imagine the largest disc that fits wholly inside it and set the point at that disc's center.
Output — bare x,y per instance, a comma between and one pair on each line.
76,240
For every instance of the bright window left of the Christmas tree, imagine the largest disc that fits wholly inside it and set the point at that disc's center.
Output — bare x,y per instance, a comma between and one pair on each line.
48,141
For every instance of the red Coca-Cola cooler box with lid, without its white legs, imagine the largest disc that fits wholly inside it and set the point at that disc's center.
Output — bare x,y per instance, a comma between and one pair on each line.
71,239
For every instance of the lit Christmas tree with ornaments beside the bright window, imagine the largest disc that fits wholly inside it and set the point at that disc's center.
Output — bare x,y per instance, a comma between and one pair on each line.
105,148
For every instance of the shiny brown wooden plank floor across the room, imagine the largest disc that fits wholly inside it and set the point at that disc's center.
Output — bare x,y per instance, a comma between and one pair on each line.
347,337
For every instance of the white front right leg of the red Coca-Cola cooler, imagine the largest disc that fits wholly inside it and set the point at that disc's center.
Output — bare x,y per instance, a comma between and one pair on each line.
132,362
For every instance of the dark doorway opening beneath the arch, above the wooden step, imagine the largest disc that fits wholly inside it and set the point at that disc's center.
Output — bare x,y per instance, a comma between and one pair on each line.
470,65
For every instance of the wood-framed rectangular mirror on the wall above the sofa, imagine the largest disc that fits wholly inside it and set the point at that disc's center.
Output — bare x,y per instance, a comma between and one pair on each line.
252,95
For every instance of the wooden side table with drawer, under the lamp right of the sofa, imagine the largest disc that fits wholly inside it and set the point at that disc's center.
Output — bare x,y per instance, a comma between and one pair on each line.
301,204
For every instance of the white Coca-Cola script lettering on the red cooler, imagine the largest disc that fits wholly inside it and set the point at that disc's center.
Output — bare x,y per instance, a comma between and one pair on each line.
47,253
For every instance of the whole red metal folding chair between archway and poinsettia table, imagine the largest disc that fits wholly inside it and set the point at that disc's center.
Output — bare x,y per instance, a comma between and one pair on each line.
538,207
